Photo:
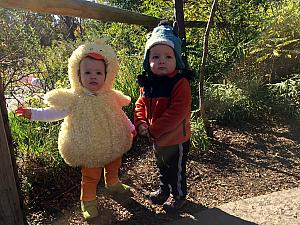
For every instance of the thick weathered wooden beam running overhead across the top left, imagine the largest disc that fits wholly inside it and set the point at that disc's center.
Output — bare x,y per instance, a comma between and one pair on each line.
83,9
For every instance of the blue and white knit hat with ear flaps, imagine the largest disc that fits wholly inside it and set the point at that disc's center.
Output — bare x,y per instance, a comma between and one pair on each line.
164,34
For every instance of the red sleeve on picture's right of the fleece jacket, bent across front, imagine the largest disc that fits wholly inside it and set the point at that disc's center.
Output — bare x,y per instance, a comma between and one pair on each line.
180,107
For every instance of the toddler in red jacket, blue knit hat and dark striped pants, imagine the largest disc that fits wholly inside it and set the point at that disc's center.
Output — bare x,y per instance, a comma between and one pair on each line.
162,113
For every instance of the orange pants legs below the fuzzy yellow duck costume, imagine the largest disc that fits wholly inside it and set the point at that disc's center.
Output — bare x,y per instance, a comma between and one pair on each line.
91,177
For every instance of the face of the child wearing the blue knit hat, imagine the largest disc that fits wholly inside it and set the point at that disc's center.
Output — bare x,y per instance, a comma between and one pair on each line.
162,60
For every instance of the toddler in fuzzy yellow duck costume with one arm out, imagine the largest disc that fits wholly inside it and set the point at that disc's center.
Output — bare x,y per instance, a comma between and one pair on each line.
95,132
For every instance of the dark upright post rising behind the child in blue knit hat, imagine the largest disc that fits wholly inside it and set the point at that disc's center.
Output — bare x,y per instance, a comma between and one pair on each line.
179,17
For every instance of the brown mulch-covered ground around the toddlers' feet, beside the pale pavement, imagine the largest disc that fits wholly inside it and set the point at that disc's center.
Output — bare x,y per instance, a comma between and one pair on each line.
240,163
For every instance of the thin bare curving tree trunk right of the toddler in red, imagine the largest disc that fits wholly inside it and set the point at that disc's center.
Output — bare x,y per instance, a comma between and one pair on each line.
202,70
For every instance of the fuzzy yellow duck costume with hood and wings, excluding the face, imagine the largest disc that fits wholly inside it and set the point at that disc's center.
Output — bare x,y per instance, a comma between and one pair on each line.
96,131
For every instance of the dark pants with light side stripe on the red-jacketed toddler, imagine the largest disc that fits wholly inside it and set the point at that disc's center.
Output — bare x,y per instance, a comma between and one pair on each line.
171,162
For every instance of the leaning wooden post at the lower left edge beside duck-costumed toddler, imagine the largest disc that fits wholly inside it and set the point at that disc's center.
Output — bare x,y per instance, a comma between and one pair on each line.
10,208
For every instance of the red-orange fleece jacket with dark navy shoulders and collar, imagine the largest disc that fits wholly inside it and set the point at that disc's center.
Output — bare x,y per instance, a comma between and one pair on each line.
165,105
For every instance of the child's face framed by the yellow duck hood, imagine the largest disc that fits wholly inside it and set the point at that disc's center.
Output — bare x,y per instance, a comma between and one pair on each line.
92,74
